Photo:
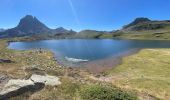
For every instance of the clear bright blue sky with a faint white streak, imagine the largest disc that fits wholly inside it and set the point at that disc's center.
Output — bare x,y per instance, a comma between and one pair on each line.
83,14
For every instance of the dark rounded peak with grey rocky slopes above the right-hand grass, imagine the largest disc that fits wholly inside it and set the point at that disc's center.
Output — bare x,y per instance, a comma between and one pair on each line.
140,24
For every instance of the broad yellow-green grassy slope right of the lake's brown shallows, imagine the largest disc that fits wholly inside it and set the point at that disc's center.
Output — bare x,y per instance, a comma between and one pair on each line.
147,72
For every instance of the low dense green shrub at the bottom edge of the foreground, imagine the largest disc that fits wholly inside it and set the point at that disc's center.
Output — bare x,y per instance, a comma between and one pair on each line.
99,92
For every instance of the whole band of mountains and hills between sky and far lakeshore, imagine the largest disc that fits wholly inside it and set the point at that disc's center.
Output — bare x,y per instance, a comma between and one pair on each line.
30,26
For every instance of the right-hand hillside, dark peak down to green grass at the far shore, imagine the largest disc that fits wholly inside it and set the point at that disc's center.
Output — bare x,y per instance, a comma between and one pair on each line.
144,28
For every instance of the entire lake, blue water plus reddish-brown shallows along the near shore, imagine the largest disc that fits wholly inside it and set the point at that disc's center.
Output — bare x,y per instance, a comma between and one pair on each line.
97,56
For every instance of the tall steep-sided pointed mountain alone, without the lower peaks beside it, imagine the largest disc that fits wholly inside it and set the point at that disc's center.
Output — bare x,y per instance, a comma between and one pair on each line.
27,26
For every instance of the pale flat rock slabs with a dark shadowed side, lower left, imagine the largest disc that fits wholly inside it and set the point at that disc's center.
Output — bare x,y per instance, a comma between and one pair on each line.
16,87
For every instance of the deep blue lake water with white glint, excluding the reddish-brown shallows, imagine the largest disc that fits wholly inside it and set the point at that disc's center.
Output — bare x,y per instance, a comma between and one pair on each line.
75,51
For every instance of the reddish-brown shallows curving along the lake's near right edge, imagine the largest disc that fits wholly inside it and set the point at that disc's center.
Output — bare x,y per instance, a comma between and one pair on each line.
104,65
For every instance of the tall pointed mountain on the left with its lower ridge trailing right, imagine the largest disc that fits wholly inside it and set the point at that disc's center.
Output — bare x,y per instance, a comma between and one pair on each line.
31,26
